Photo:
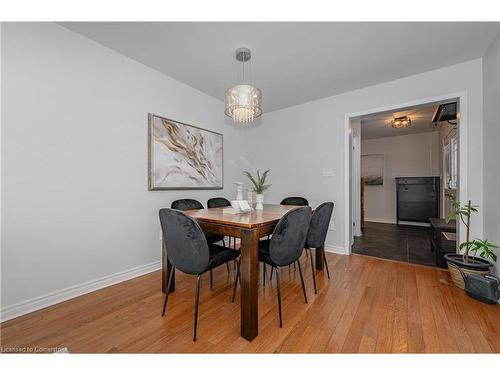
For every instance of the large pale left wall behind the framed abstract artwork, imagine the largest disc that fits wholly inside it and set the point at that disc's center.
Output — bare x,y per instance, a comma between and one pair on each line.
75,205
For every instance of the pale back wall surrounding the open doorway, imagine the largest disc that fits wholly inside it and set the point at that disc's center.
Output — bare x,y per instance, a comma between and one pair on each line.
297,142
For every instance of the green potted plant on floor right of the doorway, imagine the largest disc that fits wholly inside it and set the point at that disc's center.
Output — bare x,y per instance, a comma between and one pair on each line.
465,262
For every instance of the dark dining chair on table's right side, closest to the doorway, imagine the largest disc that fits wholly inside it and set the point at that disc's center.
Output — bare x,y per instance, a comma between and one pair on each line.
316,237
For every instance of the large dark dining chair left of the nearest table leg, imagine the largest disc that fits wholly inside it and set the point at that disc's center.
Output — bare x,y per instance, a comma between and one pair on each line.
189,252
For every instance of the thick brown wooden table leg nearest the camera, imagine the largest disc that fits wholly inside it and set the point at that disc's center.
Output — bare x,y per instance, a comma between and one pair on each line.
249,272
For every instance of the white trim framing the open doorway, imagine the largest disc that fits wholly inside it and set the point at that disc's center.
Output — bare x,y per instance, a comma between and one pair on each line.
462,150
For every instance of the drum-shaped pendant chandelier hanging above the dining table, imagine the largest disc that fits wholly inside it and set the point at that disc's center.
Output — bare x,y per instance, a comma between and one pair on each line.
243,103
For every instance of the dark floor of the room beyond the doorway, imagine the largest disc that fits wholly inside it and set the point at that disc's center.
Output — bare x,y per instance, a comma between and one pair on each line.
404,243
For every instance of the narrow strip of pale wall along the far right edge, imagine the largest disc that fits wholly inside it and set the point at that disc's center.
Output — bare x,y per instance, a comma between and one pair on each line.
491,186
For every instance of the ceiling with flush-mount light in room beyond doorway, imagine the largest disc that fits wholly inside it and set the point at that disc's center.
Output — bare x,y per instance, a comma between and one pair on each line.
378,125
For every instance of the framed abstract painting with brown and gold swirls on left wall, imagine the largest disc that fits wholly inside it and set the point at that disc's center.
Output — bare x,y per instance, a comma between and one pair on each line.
182,156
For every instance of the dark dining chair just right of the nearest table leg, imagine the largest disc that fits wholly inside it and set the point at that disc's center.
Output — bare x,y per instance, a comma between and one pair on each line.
286,245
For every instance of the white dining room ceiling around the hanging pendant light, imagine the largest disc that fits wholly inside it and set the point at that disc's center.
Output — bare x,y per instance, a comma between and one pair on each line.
292,63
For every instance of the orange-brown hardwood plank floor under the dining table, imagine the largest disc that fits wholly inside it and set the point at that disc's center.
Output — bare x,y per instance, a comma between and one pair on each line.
369,305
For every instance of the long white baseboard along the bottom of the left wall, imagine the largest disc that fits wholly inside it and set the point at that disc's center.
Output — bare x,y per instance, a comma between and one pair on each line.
37,303
